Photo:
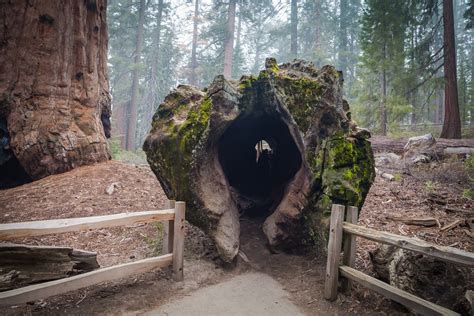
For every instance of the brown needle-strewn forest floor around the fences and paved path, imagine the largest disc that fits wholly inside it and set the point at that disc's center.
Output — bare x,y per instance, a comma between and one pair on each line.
82,192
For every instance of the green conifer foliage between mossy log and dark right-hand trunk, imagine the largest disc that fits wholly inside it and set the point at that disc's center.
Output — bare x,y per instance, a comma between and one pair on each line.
382,37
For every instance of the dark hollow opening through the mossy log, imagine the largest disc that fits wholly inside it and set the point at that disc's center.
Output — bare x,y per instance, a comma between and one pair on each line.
259,179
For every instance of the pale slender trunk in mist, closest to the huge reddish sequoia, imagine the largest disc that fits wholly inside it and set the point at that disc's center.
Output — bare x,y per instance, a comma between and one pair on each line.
132,112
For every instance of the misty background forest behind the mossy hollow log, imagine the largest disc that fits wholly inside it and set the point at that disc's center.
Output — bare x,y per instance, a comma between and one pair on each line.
390,52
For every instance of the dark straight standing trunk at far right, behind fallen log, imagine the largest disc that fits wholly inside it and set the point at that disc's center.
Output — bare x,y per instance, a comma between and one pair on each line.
452,122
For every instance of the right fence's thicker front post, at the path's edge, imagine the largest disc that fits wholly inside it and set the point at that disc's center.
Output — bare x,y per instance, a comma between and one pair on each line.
334,252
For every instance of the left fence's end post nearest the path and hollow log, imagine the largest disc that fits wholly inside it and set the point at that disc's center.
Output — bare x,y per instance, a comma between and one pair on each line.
178,241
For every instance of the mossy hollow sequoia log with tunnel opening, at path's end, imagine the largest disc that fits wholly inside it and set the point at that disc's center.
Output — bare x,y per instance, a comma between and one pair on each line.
206,149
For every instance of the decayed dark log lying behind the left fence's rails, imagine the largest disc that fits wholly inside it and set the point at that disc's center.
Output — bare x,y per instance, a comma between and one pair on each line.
21,265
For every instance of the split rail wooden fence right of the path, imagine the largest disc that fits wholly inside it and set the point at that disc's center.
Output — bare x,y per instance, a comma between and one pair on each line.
348,230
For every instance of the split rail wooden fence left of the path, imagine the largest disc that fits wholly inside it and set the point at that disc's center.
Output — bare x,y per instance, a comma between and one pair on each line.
173,249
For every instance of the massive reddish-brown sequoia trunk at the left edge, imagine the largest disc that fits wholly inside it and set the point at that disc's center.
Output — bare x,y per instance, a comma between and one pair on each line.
54,99
